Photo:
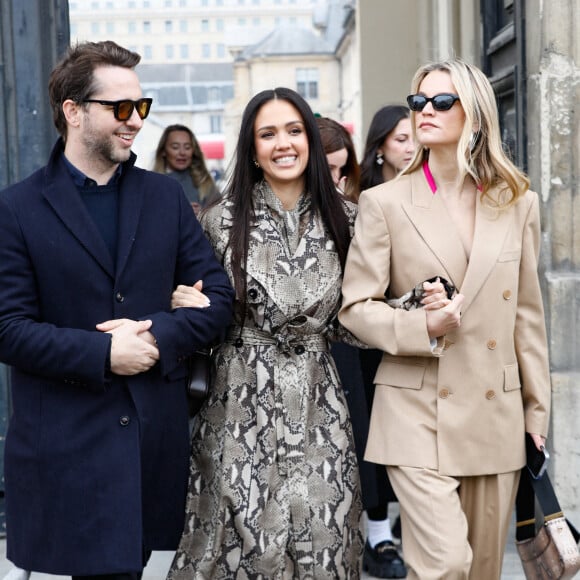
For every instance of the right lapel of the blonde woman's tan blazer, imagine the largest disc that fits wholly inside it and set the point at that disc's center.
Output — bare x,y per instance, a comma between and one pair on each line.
491,228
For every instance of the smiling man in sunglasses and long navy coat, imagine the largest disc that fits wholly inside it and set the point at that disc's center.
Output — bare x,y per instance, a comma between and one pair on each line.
91,248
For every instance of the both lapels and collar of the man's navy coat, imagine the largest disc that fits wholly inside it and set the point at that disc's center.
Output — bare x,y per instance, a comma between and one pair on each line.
62,195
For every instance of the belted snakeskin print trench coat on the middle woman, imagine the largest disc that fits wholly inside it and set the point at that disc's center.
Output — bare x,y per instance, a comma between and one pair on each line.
274,488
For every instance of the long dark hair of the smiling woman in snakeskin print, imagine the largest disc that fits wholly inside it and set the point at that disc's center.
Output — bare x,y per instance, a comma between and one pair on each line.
325,200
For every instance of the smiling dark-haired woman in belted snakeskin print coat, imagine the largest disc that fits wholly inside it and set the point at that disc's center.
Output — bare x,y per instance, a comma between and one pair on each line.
274,490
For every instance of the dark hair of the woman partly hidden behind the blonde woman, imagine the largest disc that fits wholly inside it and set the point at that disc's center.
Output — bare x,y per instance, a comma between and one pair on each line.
383,122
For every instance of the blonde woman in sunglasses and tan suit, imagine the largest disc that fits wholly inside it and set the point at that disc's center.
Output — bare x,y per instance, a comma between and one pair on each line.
460,385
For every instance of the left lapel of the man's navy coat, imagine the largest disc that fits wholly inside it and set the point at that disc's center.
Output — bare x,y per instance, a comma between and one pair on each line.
66,202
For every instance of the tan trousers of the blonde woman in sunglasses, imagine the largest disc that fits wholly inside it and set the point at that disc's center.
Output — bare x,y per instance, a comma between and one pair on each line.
454,528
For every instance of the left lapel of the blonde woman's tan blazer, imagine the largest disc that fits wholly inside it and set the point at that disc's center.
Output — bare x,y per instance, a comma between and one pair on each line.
429,216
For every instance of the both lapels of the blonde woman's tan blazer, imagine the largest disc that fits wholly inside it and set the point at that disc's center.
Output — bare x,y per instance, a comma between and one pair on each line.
431,219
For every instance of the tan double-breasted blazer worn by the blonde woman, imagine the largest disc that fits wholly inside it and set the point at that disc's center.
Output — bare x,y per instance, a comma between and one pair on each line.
462,409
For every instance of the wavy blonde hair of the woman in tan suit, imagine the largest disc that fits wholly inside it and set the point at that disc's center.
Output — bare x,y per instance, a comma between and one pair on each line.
480,153
